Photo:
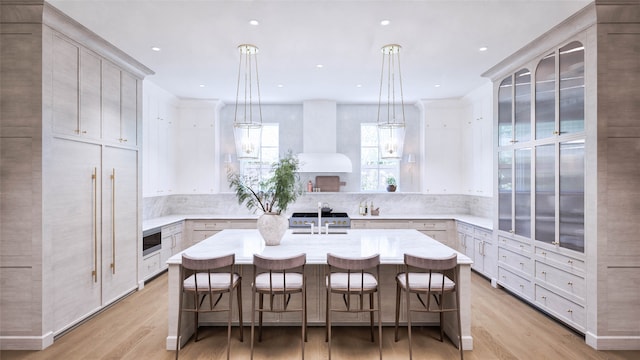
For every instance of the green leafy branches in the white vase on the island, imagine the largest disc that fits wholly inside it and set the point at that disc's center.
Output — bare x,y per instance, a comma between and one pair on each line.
274,194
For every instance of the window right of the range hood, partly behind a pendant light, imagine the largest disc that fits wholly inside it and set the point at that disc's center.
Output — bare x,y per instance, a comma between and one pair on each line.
374,171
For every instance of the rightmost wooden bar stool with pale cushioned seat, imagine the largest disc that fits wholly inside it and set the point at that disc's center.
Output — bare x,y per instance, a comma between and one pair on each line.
428,278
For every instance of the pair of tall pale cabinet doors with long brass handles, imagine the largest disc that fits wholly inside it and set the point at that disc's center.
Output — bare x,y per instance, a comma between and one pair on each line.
93,197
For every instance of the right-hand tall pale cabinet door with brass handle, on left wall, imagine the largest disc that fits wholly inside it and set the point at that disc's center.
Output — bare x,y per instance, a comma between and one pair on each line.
119,222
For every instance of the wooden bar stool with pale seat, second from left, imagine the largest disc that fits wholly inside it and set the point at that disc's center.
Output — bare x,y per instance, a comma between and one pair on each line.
273,277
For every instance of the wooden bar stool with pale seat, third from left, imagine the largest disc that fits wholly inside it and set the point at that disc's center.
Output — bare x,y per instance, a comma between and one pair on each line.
357,280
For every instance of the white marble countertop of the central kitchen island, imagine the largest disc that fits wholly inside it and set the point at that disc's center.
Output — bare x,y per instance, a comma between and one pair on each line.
391,244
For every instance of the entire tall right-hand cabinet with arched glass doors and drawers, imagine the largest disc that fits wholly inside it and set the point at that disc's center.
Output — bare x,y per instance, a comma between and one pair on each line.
567,174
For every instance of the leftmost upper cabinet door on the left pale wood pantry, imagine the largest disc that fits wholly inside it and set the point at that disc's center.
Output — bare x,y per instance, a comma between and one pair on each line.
65,86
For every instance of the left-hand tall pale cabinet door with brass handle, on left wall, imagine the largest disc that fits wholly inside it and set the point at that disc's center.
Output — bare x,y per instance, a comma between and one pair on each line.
72,203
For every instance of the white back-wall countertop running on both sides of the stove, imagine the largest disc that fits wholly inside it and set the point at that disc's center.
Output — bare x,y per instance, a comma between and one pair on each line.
486,223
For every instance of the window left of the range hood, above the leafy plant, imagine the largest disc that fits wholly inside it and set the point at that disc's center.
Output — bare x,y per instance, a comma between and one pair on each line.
259,170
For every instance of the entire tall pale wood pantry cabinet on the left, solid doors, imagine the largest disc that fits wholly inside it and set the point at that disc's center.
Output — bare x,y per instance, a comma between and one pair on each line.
70,174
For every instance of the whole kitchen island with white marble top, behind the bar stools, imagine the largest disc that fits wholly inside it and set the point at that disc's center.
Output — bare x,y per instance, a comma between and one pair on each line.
391,244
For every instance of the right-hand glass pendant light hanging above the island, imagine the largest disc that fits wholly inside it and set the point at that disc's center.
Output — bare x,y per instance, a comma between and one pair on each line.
391,122
